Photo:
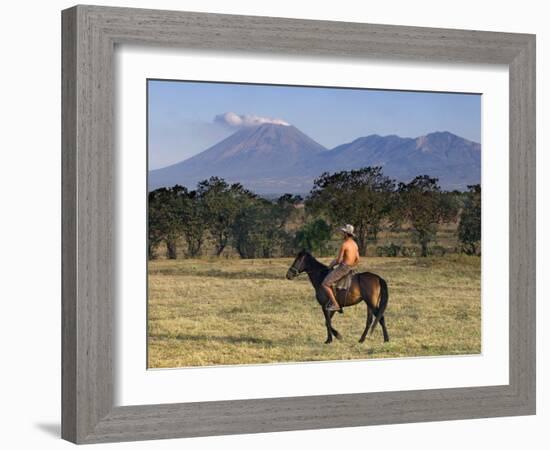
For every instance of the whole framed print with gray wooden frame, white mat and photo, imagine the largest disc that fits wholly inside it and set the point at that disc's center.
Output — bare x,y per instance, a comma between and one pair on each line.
267,222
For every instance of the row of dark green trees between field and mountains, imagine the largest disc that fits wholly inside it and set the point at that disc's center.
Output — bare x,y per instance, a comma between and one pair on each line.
230,216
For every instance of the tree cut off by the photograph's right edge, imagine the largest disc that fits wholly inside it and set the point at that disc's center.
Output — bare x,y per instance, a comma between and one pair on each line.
469,227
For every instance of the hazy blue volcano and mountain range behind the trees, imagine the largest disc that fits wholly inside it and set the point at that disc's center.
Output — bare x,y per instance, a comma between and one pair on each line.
276,159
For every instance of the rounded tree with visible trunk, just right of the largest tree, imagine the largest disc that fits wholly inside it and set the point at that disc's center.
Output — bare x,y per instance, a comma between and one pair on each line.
422,203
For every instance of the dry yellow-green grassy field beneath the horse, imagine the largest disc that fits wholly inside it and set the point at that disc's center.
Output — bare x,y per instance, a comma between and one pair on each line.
211,312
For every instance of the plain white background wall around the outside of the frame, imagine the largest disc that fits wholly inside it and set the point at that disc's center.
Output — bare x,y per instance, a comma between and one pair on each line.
31,238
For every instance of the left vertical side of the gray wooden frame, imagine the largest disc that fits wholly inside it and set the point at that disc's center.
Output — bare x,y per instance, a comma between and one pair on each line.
87,240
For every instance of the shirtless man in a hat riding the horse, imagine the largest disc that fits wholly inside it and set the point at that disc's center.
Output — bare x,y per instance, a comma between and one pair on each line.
348,258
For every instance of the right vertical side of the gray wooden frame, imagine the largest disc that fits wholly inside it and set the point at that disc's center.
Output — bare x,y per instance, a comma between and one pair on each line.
522,282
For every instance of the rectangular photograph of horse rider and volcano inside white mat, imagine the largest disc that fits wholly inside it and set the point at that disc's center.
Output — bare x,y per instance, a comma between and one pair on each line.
293,224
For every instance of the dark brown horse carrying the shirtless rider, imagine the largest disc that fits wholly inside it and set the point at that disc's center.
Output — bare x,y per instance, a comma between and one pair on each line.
365,286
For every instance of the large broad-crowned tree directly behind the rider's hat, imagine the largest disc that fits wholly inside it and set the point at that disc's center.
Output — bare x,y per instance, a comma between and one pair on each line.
361,197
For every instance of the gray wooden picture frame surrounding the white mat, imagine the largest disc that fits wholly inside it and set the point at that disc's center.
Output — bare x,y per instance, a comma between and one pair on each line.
90,34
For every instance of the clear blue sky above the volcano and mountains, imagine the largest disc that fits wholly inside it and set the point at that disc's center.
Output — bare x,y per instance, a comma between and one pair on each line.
182,114
